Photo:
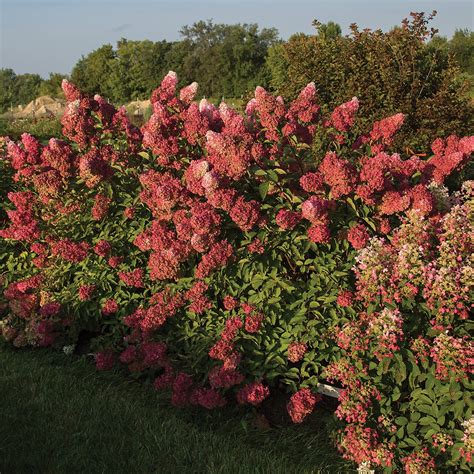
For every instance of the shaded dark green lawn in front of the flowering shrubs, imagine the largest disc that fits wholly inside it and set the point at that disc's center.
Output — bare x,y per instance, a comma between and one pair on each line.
59,415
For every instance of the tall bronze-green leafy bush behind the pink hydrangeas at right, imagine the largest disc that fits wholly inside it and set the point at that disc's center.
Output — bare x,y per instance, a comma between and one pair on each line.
391,72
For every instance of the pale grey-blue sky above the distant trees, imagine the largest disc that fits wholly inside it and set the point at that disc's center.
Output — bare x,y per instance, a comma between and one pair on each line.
43,36
